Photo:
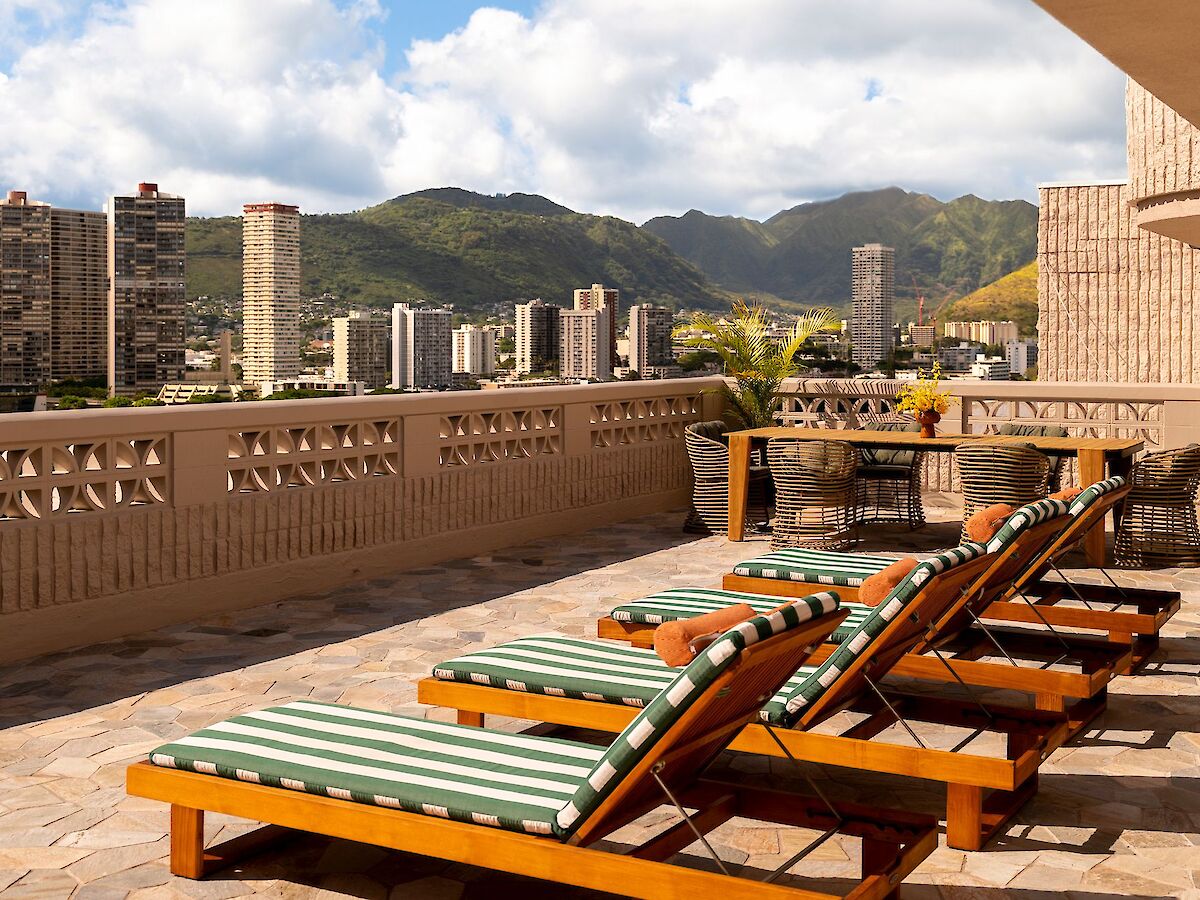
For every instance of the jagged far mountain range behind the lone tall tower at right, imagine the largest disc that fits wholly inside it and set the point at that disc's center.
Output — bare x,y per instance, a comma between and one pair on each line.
803,254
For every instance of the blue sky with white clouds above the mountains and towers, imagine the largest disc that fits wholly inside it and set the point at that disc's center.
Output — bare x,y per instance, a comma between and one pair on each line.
620,107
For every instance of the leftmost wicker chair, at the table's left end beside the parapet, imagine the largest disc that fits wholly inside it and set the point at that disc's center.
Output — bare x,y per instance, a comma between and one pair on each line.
710,458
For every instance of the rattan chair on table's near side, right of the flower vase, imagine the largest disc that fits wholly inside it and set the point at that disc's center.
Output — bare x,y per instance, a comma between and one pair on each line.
1000,473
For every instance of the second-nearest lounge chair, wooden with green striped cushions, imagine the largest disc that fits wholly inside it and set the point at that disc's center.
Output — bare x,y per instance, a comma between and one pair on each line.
601,685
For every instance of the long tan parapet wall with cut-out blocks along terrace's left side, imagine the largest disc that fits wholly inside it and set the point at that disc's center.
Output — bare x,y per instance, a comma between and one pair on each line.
121,520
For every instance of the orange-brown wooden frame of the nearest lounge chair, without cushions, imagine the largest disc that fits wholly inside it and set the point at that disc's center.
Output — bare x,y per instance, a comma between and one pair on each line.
893,843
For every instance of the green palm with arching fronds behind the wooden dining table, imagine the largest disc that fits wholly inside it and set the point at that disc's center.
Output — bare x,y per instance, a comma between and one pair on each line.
755,362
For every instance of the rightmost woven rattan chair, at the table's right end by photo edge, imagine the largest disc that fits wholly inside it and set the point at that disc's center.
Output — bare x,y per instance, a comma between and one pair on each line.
1159,527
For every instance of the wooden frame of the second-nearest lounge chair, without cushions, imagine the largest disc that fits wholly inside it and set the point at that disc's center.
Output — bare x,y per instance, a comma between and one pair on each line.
983,791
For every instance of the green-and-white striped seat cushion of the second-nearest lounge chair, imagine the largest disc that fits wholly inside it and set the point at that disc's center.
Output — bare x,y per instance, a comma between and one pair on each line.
581,669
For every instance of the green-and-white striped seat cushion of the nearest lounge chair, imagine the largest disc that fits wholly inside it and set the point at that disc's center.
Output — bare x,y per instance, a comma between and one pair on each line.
467,775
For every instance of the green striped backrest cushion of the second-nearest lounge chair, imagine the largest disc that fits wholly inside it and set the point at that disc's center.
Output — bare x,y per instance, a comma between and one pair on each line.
862,640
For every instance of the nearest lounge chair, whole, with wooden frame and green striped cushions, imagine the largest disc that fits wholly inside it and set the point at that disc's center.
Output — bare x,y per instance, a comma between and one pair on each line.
524,805
